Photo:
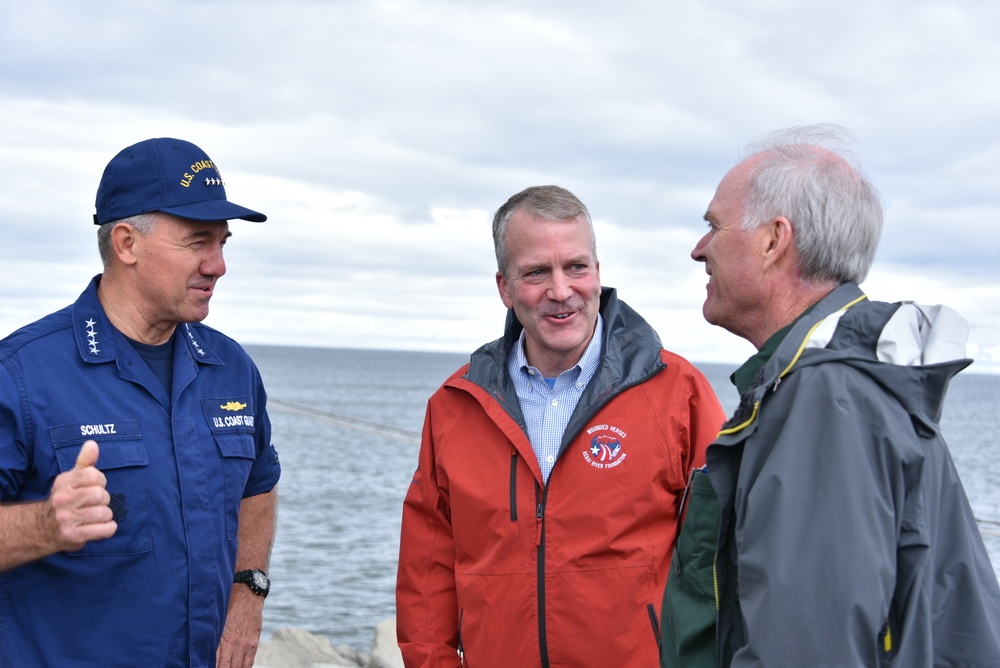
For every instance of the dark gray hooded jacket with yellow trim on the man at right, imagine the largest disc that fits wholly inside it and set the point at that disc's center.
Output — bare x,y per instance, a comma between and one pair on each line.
846,537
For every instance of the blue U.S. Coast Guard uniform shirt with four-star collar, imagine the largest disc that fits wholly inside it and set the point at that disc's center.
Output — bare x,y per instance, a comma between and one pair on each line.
156,593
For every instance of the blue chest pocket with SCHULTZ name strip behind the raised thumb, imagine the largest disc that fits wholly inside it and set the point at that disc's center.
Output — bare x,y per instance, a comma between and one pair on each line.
124,461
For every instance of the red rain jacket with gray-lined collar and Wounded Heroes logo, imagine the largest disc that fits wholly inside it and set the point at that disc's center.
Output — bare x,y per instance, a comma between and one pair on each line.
518,573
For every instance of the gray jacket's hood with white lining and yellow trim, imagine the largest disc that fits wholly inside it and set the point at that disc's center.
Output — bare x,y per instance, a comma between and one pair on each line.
911,351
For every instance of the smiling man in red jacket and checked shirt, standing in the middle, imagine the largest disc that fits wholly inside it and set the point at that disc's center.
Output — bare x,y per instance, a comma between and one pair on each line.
538,527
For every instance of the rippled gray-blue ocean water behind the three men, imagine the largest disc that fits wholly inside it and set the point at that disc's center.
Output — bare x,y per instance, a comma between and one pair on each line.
347,427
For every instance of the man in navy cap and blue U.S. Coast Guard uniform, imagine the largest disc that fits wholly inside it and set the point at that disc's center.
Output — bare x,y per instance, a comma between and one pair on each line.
137,477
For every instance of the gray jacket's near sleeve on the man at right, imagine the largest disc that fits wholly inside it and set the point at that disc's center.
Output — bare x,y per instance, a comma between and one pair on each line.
818,507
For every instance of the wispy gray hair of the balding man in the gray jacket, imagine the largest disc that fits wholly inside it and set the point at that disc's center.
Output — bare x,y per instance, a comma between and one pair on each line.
811,176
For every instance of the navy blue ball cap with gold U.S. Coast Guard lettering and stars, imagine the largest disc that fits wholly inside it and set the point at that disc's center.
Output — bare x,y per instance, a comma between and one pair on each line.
168,175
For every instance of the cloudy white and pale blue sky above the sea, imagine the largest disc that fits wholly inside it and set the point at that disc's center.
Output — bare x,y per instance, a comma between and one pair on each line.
380,137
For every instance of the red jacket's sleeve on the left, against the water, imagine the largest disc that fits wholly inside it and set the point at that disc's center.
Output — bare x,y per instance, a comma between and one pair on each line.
427,619
